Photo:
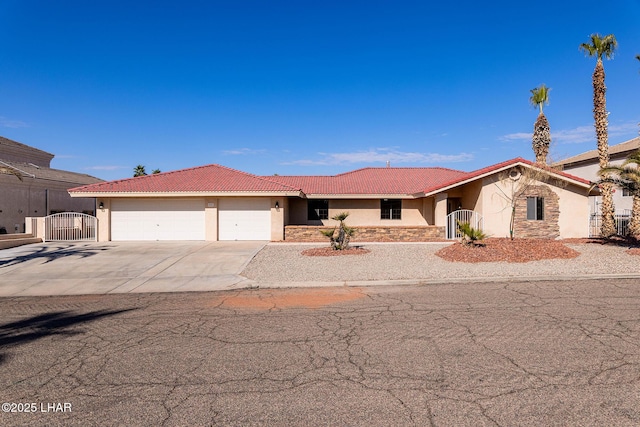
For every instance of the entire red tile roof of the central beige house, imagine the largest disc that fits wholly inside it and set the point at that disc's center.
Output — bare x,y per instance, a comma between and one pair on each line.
382,181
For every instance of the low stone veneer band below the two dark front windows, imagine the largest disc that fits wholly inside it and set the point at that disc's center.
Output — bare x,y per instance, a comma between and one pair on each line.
310,233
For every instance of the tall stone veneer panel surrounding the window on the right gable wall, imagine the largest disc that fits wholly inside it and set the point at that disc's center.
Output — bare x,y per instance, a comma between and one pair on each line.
549,227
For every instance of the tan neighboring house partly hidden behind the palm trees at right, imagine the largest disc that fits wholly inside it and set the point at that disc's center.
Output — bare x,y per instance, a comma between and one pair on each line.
586,165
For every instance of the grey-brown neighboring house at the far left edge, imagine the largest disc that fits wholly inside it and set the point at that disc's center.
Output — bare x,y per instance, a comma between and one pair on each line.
42,191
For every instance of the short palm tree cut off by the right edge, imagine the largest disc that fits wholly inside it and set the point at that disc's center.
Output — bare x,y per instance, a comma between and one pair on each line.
627,177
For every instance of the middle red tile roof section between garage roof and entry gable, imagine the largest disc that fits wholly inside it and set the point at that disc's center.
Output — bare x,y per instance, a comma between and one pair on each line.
403,181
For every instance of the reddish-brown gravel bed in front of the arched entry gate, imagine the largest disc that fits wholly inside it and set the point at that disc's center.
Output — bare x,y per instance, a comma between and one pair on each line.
506,250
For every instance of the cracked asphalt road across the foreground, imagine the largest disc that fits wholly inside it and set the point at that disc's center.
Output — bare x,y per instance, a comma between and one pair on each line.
545,353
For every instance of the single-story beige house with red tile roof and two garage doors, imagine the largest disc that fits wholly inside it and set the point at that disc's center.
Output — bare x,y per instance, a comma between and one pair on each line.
385,204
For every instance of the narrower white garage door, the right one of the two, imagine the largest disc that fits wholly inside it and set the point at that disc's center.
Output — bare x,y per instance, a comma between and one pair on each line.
244,219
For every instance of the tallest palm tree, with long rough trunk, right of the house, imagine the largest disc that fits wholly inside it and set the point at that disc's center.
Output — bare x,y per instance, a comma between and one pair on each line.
602,46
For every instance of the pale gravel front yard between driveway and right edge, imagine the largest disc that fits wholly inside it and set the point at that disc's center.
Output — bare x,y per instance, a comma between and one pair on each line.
285,263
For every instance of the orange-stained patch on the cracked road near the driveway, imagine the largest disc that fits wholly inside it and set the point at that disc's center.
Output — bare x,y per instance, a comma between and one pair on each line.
289,298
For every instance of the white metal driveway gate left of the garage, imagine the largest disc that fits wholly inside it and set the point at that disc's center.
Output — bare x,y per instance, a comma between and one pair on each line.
70,226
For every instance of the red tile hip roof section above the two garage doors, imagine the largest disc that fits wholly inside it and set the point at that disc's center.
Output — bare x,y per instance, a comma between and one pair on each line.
209,178
